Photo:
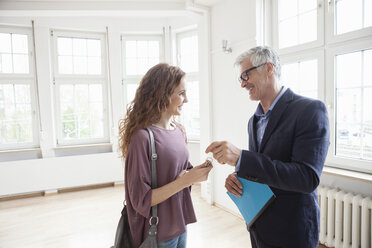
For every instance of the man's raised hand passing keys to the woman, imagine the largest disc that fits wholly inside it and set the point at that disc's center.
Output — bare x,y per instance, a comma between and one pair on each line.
224,152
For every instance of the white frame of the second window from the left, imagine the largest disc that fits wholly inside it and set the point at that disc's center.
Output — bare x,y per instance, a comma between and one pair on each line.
60,79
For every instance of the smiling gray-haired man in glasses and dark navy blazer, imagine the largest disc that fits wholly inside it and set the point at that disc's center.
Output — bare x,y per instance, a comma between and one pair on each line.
288,144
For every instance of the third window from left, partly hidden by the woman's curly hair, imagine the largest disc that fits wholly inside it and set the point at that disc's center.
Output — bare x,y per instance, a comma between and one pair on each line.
140,53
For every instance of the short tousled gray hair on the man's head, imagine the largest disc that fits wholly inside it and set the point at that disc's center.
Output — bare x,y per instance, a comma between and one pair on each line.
260,55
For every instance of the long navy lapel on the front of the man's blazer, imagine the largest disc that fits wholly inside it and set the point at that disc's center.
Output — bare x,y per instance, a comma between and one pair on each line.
275,115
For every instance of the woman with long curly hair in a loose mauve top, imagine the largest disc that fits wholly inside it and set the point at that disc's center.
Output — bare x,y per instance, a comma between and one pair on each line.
159,97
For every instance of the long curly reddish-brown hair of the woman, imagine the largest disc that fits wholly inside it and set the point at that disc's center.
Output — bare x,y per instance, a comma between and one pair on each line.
151,99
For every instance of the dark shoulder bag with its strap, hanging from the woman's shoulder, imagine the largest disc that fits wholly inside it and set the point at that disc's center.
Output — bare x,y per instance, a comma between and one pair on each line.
123,236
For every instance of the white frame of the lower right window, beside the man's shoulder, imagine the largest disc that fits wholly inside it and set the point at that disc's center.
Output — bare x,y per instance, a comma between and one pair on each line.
341,162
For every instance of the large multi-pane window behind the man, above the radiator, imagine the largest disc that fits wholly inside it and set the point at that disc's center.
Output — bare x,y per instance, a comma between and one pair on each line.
342,58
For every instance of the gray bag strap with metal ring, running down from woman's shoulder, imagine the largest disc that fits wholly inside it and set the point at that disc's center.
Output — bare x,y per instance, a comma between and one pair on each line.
154,182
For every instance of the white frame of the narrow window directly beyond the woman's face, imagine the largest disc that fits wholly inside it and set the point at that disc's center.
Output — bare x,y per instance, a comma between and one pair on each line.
190,76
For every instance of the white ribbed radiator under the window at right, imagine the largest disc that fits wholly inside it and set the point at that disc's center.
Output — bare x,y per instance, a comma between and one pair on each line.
345,219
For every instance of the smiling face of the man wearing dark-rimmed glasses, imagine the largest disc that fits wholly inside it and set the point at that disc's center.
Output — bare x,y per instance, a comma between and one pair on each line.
256,82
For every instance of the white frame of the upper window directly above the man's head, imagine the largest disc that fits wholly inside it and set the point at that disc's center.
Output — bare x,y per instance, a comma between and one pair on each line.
313,44
